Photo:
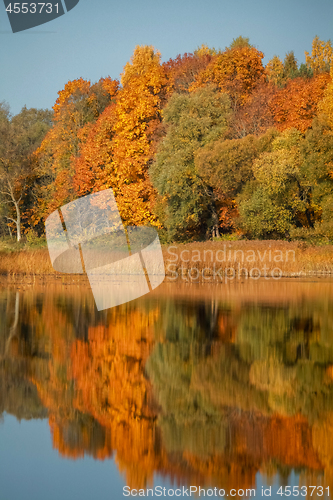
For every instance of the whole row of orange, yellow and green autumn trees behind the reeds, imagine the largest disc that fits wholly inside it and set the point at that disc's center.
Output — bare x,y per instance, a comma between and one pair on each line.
206,144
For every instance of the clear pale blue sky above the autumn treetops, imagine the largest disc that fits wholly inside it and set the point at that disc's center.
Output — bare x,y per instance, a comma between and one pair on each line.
97,38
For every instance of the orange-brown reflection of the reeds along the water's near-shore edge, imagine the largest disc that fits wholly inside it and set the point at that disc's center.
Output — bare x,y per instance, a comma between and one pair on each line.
286,292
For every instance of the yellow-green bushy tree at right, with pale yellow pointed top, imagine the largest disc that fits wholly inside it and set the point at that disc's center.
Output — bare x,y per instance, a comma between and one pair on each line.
281,194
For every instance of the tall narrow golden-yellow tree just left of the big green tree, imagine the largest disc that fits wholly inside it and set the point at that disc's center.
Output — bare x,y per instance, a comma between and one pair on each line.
138,112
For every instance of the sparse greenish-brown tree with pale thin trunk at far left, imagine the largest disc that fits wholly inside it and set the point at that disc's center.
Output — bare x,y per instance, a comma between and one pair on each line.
20,135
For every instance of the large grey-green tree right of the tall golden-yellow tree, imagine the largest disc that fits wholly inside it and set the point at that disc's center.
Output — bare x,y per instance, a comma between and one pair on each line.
186,202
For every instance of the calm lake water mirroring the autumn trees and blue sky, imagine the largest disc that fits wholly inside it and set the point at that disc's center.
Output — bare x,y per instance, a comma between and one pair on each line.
227,387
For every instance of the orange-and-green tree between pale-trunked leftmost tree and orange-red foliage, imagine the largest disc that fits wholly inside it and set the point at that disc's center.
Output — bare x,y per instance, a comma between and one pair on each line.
78,106
